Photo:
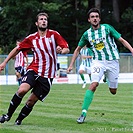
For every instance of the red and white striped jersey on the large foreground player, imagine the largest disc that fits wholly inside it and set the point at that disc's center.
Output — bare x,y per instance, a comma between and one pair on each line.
44,49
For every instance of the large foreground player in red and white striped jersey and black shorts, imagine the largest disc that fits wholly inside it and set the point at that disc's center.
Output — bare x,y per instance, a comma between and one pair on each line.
45,44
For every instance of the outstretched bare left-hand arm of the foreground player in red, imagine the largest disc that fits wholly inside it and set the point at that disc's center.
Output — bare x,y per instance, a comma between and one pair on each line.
13,53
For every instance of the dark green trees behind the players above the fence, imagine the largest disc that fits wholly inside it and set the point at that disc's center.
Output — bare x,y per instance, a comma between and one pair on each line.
68,17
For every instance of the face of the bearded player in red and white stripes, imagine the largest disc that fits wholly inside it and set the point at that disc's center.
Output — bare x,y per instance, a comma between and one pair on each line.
42,23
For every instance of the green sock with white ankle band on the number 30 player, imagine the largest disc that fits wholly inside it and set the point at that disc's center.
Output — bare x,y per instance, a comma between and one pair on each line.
87,101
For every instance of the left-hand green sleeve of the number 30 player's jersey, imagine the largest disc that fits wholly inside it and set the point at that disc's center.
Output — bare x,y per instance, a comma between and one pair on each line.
83,40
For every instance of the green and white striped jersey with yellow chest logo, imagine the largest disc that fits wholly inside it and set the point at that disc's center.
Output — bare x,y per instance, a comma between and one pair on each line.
101,42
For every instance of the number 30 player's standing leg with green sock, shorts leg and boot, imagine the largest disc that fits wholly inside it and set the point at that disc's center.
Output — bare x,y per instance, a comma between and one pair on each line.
97,73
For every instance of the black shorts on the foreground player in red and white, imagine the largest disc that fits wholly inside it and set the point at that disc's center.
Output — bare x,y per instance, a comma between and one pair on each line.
40,86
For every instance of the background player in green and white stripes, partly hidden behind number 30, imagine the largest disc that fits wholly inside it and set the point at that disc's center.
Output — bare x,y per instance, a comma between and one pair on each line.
85,66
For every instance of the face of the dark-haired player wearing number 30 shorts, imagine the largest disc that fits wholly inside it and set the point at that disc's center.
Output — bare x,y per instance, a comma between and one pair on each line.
94,19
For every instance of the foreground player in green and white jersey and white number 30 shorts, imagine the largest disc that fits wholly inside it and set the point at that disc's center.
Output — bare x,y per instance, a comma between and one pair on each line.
100,39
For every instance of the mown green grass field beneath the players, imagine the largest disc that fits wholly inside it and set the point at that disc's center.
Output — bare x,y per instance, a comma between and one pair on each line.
60,110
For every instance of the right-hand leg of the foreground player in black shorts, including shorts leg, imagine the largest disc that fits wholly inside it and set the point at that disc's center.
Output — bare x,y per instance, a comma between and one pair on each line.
39,92
